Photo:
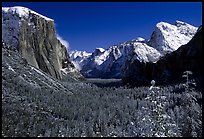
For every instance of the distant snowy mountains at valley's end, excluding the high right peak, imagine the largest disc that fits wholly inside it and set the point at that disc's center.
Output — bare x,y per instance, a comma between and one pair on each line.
108,63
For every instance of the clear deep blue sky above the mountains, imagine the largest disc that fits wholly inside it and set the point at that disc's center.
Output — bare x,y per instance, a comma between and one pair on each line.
87,25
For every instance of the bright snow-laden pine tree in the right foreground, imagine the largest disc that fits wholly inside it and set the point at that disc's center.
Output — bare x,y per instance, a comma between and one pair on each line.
163,125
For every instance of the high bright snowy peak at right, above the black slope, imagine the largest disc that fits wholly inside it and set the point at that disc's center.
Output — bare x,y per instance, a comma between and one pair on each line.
167,37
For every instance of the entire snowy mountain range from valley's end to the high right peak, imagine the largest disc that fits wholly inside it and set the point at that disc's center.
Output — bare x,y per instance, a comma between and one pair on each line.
111,63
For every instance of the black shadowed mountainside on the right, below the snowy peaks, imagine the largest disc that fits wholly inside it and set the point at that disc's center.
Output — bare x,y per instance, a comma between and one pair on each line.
170,67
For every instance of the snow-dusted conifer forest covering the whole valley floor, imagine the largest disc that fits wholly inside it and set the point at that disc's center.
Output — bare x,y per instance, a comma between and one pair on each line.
94,109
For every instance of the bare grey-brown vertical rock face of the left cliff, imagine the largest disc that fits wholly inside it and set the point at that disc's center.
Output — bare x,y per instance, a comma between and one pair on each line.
41,48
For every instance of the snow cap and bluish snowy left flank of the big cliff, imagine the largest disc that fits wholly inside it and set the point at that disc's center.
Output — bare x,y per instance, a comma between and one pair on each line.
12,18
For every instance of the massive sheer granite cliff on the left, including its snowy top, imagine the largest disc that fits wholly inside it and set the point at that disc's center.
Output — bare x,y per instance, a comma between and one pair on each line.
35,38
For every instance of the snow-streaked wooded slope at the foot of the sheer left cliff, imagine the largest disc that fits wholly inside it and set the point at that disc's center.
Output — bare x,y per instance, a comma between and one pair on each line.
19,76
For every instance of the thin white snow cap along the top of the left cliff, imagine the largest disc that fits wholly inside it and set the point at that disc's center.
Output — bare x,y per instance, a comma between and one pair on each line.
23,12
